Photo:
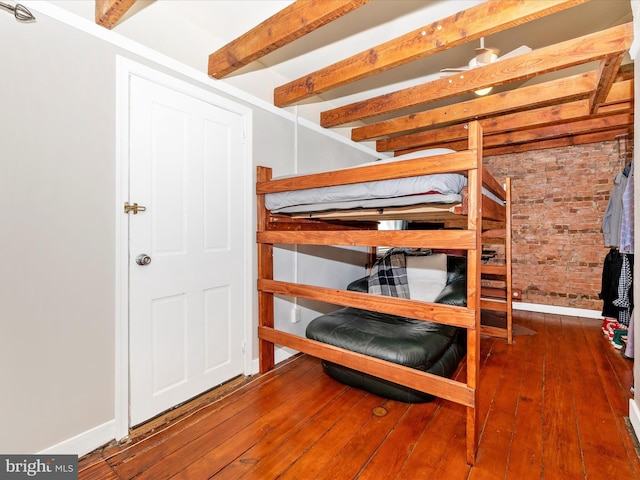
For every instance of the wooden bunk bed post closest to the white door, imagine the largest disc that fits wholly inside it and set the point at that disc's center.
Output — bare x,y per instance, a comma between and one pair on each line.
265,271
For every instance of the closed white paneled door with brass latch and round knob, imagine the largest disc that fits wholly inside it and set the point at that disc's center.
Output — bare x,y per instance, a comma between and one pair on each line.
186,305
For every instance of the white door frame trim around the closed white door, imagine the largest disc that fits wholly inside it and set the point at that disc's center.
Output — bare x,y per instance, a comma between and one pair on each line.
125,68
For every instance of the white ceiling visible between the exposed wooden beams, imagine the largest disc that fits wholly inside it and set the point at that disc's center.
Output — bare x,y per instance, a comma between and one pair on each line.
189,30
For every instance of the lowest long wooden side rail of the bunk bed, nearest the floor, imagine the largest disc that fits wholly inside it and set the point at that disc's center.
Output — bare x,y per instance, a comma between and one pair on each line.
447,389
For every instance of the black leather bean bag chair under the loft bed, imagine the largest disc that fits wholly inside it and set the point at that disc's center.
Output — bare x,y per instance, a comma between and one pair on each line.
426,346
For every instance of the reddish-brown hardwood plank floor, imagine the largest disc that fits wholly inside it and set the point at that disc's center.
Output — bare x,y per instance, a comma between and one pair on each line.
553,405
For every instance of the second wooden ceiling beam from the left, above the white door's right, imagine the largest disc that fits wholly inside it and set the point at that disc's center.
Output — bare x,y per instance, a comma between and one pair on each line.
289,24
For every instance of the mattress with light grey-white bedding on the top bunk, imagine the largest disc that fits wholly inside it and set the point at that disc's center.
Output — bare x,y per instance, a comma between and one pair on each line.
424,189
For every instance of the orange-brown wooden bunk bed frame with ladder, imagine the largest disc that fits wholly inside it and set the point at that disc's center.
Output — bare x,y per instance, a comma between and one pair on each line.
359,229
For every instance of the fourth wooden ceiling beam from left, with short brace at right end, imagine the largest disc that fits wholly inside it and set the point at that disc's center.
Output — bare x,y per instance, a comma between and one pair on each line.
597,46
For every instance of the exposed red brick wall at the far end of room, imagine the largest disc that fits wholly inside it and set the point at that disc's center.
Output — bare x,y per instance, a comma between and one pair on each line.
559,199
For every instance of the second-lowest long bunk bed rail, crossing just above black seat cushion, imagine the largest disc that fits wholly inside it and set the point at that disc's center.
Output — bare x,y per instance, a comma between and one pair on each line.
434,312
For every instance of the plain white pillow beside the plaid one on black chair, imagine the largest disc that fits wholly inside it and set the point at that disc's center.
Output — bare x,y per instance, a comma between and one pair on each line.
426,275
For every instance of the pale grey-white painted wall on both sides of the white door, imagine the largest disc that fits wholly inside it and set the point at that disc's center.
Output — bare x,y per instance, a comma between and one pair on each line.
58,211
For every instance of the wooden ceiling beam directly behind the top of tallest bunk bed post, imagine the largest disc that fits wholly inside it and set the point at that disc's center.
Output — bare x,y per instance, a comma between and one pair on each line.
540,117
